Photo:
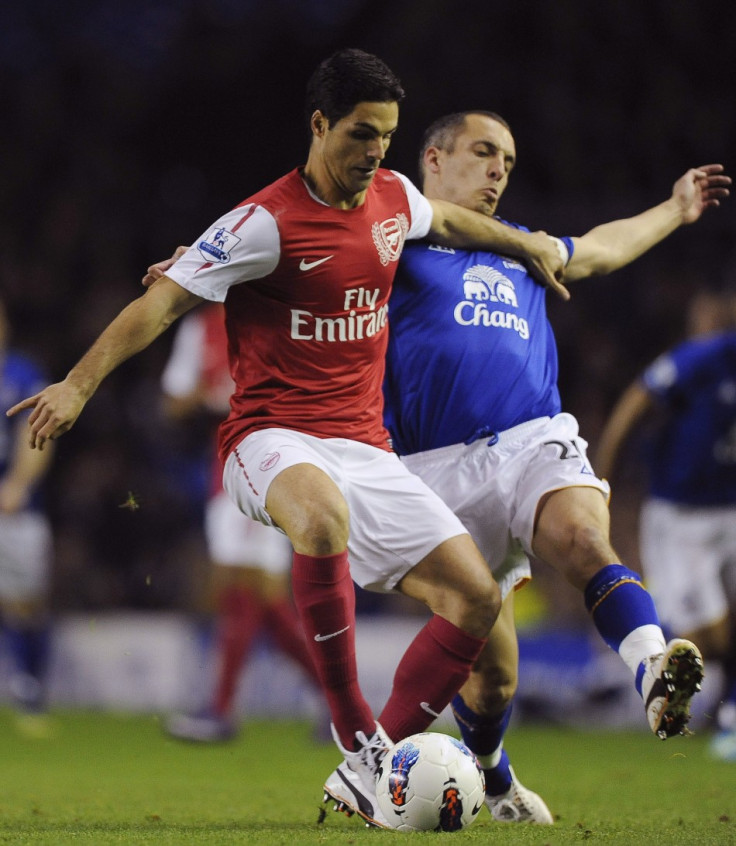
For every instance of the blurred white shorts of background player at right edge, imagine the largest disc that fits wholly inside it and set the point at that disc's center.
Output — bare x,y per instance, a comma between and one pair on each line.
684,551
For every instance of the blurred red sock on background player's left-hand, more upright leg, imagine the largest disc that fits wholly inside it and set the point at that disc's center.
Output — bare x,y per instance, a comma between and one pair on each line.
241,612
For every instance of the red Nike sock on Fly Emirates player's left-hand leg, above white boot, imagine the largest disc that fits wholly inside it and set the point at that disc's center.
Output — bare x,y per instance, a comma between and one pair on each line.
325,598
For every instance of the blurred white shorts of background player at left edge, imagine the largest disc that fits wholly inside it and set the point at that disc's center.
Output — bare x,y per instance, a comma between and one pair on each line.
25,555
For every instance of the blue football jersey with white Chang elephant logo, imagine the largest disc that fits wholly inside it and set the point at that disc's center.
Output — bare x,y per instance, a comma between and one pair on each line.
471,350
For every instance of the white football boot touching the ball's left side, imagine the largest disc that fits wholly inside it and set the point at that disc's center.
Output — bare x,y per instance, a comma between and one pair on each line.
352,786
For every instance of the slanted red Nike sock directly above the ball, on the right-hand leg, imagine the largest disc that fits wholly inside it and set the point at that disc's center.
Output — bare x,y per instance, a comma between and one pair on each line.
433,669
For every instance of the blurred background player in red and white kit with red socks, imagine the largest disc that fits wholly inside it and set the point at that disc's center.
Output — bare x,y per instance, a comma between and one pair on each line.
249,563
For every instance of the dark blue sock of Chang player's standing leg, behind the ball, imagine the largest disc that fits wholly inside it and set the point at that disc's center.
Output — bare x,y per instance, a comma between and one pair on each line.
484,736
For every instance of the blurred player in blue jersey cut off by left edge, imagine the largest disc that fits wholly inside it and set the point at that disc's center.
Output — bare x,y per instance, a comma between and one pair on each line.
25,543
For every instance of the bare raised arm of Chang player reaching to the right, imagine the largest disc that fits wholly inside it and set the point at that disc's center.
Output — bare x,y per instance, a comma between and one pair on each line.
615,244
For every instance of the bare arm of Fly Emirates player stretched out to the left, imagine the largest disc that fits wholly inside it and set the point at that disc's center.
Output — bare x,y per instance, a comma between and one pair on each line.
56,408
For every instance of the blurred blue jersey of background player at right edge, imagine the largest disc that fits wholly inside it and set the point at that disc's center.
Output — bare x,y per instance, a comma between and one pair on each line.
692,455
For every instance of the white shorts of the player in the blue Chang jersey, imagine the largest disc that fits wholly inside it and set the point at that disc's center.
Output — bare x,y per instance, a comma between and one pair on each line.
494,487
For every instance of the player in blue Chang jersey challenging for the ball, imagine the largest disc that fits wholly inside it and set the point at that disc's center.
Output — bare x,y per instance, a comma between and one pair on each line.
473,408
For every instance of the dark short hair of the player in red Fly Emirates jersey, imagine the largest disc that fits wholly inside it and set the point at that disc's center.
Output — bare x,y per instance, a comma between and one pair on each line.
349,77
